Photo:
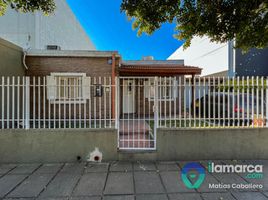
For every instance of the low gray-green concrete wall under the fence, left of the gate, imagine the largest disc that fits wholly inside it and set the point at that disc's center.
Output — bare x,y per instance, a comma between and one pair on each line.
28,146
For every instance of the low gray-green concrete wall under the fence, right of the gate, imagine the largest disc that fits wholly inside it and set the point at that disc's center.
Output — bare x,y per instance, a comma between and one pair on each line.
203,144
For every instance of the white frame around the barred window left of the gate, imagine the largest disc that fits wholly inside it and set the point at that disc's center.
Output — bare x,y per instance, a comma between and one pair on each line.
56,99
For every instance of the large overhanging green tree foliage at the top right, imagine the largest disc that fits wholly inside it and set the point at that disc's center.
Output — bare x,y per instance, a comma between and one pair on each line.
245,21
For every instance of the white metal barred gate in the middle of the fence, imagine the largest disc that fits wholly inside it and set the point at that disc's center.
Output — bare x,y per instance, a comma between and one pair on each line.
137,113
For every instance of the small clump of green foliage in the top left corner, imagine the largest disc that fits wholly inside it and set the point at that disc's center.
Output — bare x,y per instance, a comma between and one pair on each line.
46,6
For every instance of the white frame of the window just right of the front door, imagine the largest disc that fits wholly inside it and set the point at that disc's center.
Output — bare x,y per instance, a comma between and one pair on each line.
151,89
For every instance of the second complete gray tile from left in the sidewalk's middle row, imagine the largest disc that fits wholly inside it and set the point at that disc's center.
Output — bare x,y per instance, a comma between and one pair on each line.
61,186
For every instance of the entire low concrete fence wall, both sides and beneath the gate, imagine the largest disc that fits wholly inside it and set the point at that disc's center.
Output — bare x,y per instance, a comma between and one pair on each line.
28,146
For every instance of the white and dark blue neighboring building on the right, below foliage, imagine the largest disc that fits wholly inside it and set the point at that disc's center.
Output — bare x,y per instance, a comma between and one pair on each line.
215,58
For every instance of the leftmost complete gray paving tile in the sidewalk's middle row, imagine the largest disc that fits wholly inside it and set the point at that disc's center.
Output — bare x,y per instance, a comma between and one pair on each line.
32,186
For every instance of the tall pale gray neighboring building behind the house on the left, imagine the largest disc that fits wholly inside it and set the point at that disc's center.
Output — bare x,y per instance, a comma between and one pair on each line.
36,31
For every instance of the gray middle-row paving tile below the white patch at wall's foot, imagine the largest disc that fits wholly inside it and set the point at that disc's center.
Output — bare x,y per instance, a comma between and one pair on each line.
90,184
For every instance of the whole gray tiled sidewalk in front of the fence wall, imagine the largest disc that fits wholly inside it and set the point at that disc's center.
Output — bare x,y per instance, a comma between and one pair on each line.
119,181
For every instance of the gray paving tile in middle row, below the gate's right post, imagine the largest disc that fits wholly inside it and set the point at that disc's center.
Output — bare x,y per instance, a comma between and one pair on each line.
148,182
